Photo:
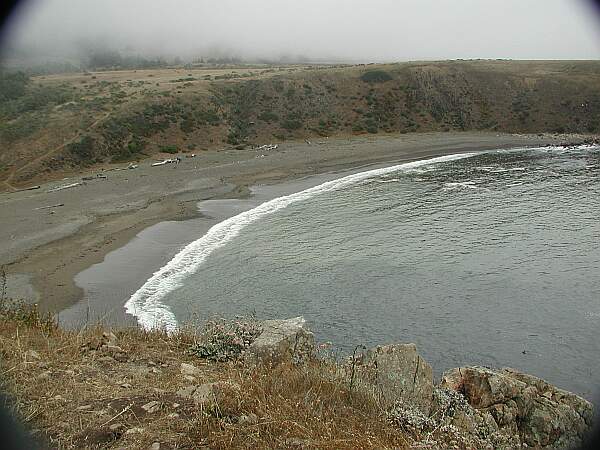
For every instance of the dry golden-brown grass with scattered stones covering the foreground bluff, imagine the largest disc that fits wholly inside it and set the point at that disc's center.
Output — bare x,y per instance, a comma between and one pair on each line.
72,391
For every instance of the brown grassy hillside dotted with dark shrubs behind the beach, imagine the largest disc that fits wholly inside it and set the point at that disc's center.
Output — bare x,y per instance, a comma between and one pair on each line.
54,124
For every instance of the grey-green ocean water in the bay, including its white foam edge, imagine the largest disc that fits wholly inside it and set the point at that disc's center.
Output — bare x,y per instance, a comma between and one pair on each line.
487,258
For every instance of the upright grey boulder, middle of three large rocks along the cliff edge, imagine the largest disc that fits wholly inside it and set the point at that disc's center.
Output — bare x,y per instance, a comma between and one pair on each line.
398,374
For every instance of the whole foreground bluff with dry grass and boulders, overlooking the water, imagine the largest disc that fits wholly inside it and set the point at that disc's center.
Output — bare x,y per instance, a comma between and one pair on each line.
247,384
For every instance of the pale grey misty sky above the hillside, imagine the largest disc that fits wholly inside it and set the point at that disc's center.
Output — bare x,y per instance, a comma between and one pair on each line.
366,30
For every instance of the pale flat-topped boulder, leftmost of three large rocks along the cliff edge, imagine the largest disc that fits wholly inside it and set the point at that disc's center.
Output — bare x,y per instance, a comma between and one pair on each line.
283,340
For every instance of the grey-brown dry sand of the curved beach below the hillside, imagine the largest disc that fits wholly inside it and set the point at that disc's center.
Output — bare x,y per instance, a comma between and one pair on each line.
50,237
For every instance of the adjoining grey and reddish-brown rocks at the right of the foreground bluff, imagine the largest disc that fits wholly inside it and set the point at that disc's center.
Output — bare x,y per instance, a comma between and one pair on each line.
472,407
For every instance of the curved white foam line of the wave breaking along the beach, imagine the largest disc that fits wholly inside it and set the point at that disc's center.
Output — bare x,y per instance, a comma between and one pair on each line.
146,305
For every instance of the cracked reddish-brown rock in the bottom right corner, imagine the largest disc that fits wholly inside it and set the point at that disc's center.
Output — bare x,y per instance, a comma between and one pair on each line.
522,405
